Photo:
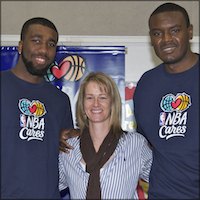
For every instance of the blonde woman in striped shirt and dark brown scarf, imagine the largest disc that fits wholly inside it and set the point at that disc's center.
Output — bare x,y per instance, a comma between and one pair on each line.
106,162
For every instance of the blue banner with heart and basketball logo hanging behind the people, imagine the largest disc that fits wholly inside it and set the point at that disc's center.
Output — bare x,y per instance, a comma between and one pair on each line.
73,63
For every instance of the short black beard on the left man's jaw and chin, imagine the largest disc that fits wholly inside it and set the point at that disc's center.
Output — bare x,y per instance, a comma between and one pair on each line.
31,69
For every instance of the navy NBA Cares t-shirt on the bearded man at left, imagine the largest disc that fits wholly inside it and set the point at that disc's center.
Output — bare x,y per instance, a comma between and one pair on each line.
32,116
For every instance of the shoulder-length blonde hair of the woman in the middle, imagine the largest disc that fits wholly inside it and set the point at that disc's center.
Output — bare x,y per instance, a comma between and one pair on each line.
107,84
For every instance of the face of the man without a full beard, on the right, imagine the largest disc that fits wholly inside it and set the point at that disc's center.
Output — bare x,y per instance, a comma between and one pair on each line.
170,36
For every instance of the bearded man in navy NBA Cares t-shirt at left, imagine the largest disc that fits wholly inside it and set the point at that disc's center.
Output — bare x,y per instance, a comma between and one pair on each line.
33,112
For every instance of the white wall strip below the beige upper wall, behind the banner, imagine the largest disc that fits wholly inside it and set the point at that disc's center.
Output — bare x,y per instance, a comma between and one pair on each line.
139,58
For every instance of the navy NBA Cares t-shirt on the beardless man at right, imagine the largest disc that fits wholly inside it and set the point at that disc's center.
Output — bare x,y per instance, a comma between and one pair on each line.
166,108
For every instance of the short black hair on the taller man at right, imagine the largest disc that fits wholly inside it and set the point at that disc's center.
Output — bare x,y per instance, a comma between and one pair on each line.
171,7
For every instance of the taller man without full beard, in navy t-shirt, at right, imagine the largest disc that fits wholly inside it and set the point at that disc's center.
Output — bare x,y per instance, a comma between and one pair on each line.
166,106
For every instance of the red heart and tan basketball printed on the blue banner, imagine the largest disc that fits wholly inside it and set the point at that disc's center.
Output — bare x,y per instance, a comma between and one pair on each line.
70,68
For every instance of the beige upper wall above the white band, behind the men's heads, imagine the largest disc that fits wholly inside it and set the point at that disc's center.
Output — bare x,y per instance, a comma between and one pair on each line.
97,17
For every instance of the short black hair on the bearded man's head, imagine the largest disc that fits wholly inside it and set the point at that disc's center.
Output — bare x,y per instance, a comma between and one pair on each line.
37,20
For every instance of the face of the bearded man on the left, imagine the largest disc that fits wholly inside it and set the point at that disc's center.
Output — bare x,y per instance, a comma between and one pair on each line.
38,49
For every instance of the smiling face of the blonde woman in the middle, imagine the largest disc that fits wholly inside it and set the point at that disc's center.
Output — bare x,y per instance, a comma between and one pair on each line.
97,104
